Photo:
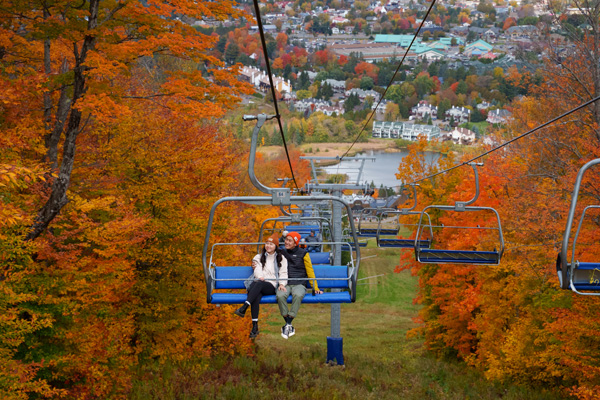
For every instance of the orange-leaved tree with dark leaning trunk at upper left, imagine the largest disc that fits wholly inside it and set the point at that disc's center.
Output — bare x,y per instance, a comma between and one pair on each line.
67,56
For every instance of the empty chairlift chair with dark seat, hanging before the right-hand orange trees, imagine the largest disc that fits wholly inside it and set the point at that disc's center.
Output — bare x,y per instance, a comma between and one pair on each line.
484,257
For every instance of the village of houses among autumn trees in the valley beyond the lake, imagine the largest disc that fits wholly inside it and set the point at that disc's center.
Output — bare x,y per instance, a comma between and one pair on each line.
458,76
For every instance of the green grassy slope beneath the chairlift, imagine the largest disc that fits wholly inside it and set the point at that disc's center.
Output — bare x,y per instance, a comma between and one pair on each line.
380,361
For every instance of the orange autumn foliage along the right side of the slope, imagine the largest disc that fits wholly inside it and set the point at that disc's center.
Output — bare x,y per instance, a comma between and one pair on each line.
511,320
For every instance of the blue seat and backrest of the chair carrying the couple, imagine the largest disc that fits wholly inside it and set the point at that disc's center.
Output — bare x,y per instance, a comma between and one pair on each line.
328,277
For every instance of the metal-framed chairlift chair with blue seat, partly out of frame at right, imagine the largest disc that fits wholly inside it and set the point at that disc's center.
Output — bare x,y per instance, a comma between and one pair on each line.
574,274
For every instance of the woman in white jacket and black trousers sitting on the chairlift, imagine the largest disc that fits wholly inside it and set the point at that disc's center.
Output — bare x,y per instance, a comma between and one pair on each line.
270,274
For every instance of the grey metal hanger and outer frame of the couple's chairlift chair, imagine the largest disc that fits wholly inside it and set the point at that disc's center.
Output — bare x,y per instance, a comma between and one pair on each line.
277,197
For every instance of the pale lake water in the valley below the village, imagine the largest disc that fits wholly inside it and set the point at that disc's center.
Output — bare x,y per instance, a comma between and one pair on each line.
382,171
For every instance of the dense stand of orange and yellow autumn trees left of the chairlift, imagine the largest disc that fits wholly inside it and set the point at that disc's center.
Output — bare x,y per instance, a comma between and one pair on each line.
116,280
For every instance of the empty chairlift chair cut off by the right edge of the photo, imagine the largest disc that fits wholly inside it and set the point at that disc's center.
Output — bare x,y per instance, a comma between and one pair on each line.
582,277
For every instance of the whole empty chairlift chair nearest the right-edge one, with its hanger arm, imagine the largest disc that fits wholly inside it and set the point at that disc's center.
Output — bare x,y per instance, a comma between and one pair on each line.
439,253
